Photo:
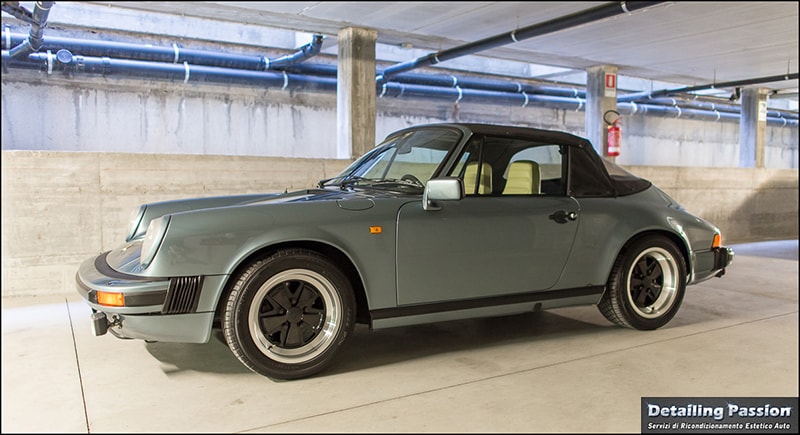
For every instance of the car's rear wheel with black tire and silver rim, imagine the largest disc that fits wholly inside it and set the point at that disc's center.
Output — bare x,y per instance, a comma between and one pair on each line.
646,286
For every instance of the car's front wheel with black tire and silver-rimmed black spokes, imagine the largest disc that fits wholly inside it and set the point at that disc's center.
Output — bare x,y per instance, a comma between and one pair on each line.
288,314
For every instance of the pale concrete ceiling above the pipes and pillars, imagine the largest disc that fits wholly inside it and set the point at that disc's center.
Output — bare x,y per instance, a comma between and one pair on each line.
687,43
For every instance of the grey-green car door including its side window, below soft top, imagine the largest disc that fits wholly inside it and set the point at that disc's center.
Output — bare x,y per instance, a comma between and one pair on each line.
493,242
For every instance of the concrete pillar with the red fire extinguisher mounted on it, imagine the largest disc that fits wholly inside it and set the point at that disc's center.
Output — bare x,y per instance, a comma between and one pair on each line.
601,96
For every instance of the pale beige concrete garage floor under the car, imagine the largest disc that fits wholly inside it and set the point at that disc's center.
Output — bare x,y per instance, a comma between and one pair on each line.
566,370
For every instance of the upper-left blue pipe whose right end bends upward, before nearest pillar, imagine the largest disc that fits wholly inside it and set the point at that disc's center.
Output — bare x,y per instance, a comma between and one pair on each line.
174,54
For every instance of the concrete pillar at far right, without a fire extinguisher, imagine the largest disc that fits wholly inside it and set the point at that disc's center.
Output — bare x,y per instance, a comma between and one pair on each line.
752,128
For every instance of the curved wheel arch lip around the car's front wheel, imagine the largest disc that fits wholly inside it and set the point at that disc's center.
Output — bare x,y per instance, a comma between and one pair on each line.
334,254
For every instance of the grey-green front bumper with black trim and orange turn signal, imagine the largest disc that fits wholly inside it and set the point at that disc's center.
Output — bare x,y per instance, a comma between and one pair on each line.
159,309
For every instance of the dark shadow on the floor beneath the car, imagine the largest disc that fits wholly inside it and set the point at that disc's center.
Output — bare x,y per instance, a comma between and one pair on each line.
367,349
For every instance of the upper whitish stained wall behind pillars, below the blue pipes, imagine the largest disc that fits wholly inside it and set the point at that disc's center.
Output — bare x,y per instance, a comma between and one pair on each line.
41,112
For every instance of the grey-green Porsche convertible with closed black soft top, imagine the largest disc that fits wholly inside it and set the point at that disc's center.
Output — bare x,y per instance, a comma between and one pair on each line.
438,222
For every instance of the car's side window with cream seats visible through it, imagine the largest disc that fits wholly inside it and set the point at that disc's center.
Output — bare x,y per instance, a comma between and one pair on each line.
492,166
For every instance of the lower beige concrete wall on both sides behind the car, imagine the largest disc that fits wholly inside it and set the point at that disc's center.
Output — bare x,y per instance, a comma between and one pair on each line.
59,208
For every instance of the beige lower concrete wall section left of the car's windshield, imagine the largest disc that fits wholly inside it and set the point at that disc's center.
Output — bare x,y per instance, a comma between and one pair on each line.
59,208
